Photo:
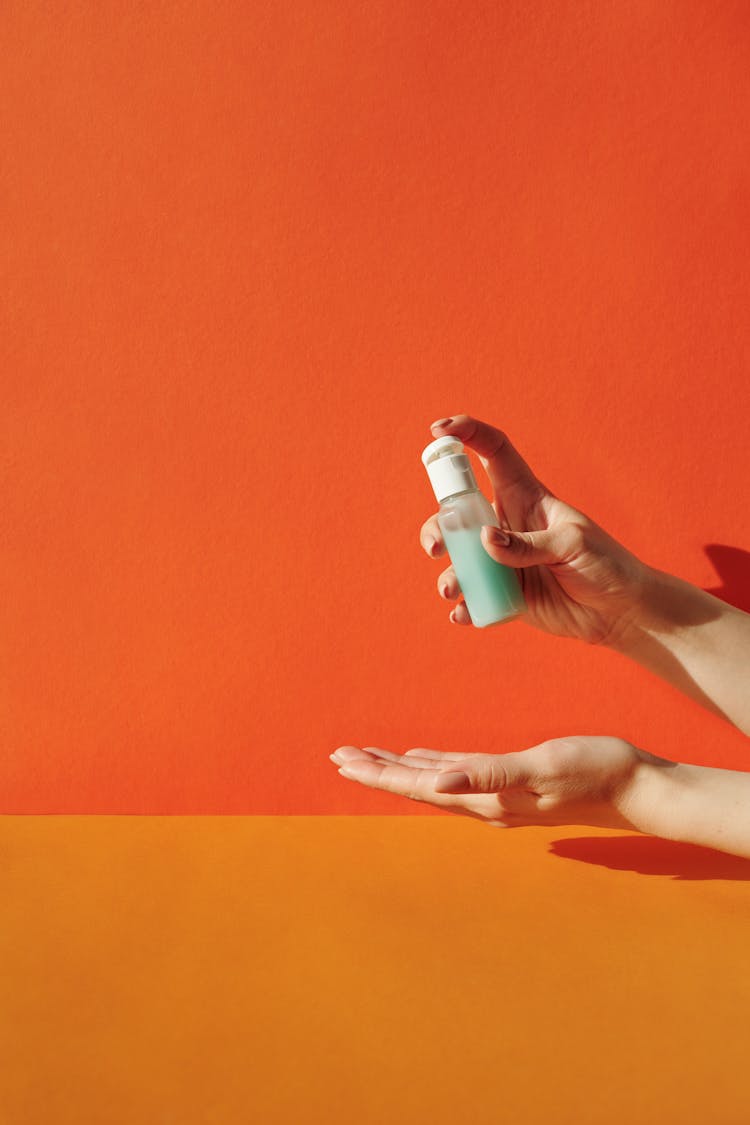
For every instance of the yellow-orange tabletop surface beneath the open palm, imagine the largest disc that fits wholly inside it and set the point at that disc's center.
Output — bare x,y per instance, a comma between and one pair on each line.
368,969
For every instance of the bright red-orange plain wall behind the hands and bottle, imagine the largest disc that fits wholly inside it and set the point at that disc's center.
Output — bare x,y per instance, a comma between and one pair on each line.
250,253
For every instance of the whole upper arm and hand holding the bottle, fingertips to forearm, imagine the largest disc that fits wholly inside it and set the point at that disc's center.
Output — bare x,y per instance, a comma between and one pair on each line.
577,581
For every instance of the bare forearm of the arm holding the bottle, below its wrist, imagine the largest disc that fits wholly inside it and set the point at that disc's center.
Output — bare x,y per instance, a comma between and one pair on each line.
694,642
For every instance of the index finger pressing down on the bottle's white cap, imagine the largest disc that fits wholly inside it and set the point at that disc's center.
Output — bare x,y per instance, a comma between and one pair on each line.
516,485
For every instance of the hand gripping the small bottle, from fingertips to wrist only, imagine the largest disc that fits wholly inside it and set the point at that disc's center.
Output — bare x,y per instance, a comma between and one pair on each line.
577,581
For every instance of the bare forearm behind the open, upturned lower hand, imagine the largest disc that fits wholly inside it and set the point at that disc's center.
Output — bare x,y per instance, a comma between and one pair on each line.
695,805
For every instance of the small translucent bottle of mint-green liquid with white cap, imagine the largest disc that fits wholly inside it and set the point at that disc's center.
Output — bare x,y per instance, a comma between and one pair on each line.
492,591
